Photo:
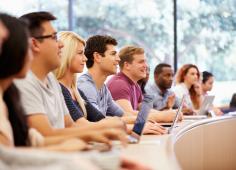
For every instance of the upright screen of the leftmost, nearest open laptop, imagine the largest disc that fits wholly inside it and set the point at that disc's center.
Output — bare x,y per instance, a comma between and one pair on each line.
147,104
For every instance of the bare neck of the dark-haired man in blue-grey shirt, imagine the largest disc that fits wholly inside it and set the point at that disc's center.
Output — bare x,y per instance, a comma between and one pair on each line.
98,77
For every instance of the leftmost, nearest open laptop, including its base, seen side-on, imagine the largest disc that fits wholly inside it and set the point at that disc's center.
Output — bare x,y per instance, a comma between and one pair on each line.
141,119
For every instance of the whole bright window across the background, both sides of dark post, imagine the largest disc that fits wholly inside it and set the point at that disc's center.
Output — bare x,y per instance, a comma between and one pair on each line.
206,30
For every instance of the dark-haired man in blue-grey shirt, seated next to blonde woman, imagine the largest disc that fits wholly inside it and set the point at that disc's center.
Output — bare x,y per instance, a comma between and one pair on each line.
102,61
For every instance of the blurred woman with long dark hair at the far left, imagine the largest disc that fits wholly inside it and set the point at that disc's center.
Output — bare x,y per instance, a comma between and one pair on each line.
15,62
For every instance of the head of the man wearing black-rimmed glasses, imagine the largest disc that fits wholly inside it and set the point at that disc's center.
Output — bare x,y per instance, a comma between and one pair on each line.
45,46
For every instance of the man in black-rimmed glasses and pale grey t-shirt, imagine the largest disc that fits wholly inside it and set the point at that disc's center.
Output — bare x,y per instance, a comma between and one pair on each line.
41,93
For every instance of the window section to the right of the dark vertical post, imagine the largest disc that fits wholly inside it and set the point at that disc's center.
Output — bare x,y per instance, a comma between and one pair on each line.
207,38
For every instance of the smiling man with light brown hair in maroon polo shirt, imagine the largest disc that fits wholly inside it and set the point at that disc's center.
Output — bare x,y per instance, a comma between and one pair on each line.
124,88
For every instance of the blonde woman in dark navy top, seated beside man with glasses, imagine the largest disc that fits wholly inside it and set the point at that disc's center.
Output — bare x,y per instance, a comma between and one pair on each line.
73,61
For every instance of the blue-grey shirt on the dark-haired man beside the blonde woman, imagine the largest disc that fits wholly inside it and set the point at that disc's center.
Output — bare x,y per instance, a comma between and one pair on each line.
101,99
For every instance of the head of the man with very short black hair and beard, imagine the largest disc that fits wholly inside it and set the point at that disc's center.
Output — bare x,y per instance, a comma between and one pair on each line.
163,75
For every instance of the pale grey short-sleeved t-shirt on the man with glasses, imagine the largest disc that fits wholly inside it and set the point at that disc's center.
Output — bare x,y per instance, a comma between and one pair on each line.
38,98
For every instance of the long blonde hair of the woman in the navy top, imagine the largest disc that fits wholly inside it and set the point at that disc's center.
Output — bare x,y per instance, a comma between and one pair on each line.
71,41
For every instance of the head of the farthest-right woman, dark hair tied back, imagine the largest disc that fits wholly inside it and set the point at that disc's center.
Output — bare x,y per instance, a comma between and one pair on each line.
207,81
